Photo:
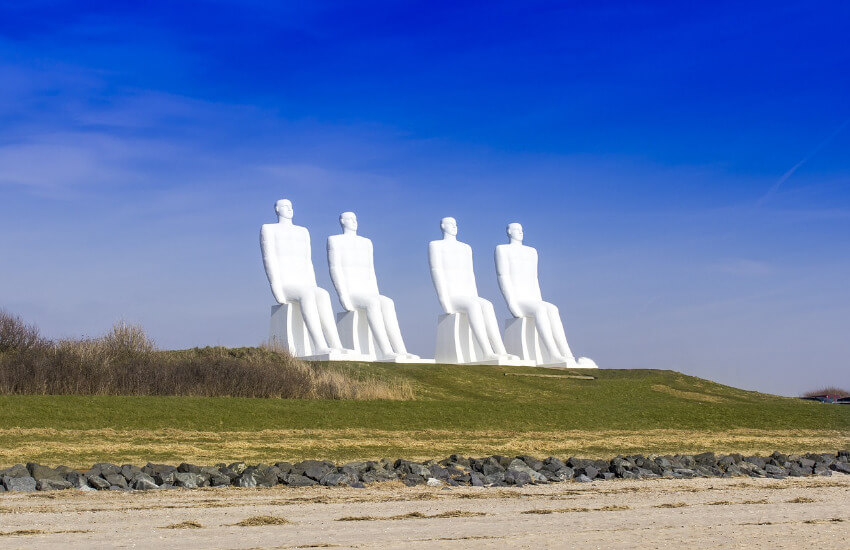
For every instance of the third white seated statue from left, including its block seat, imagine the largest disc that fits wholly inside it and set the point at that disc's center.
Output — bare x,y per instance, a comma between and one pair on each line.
468,332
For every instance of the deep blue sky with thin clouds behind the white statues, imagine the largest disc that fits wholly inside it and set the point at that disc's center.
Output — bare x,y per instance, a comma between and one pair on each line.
683,170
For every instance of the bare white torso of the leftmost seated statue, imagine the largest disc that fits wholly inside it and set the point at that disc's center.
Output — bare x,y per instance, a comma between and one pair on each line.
290,252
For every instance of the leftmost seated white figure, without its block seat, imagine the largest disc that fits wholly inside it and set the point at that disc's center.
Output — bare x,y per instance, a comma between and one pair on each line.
289,268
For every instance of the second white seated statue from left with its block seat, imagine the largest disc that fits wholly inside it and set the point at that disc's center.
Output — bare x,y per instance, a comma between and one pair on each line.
369,318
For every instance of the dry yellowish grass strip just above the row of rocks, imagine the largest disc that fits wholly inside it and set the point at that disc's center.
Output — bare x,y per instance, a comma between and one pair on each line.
81,448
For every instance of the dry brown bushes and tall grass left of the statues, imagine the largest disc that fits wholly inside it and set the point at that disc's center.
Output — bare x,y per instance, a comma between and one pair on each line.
125,362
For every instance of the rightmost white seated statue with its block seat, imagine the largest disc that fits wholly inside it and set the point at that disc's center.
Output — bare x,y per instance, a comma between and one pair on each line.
535,321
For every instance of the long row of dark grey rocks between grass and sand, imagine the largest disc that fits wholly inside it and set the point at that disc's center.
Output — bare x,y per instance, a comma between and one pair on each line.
491,471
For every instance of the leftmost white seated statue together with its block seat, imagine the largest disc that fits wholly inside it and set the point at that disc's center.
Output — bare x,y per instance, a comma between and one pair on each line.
304,322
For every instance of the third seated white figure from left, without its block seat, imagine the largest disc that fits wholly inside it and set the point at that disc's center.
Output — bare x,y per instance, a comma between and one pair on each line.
454,280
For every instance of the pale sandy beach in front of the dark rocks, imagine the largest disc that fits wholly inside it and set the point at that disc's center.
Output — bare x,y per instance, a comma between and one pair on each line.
705,513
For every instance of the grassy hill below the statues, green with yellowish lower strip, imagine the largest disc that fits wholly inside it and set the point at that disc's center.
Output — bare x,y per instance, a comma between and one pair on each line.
470,409
